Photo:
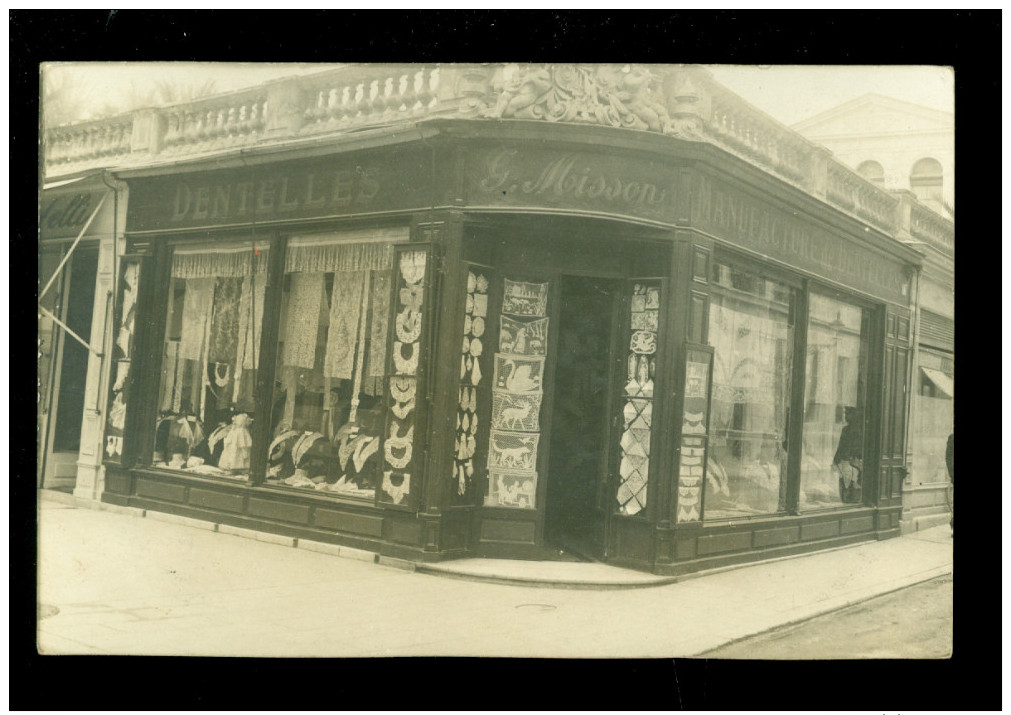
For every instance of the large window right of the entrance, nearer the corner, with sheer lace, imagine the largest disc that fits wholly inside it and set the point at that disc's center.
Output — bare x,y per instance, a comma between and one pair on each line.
752,330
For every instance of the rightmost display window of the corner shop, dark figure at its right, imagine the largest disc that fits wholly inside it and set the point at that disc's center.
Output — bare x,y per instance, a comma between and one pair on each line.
835,404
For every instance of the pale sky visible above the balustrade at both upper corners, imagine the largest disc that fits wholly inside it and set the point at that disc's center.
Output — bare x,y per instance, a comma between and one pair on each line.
788,94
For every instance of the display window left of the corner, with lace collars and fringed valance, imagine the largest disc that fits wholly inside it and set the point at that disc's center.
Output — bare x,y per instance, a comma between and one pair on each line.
329,408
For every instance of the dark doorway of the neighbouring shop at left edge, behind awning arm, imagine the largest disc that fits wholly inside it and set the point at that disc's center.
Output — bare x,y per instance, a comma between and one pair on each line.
70,376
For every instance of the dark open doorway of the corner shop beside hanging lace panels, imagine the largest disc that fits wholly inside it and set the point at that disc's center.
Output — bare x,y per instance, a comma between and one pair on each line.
575,513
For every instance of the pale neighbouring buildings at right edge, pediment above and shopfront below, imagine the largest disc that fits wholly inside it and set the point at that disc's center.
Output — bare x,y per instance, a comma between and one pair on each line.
907,148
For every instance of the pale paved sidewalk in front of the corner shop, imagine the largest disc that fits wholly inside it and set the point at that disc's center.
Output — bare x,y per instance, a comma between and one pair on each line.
113,583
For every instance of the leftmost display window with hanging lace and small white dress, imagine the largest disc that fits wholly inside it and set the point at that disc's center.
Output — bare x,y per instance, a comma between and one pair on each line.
210,361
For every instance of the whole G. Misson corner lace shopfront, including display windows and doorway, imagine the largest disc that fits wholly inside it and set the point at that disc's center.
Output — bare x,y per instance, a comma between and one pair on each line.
507,339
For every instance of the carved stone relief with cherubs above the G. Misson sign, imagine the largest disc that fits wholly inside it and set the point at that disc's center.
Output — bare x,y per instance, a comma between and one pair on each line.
626,97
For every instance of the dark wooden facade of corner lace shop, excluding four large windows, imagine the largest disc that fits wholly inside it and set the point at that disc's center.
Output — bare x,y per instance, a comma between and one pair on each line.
602,233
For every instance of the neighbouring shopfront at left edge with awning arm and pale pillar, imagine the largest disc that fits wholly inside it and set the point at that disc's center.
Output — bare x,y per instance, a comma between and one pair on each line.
79,222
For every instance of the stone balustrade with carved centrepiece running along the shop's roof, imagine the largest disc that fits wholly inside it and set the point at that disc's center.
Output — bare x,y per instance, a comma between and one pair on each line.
681,102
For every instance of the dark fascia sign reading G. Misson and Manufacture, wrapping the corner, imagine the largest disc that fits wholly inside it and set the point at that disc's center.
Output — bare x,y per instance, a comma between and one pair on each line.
642,189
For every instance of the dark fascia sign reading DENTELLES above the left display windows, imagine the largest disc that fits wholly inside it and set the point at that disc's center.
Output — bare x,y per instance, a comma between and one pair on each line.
274,193
